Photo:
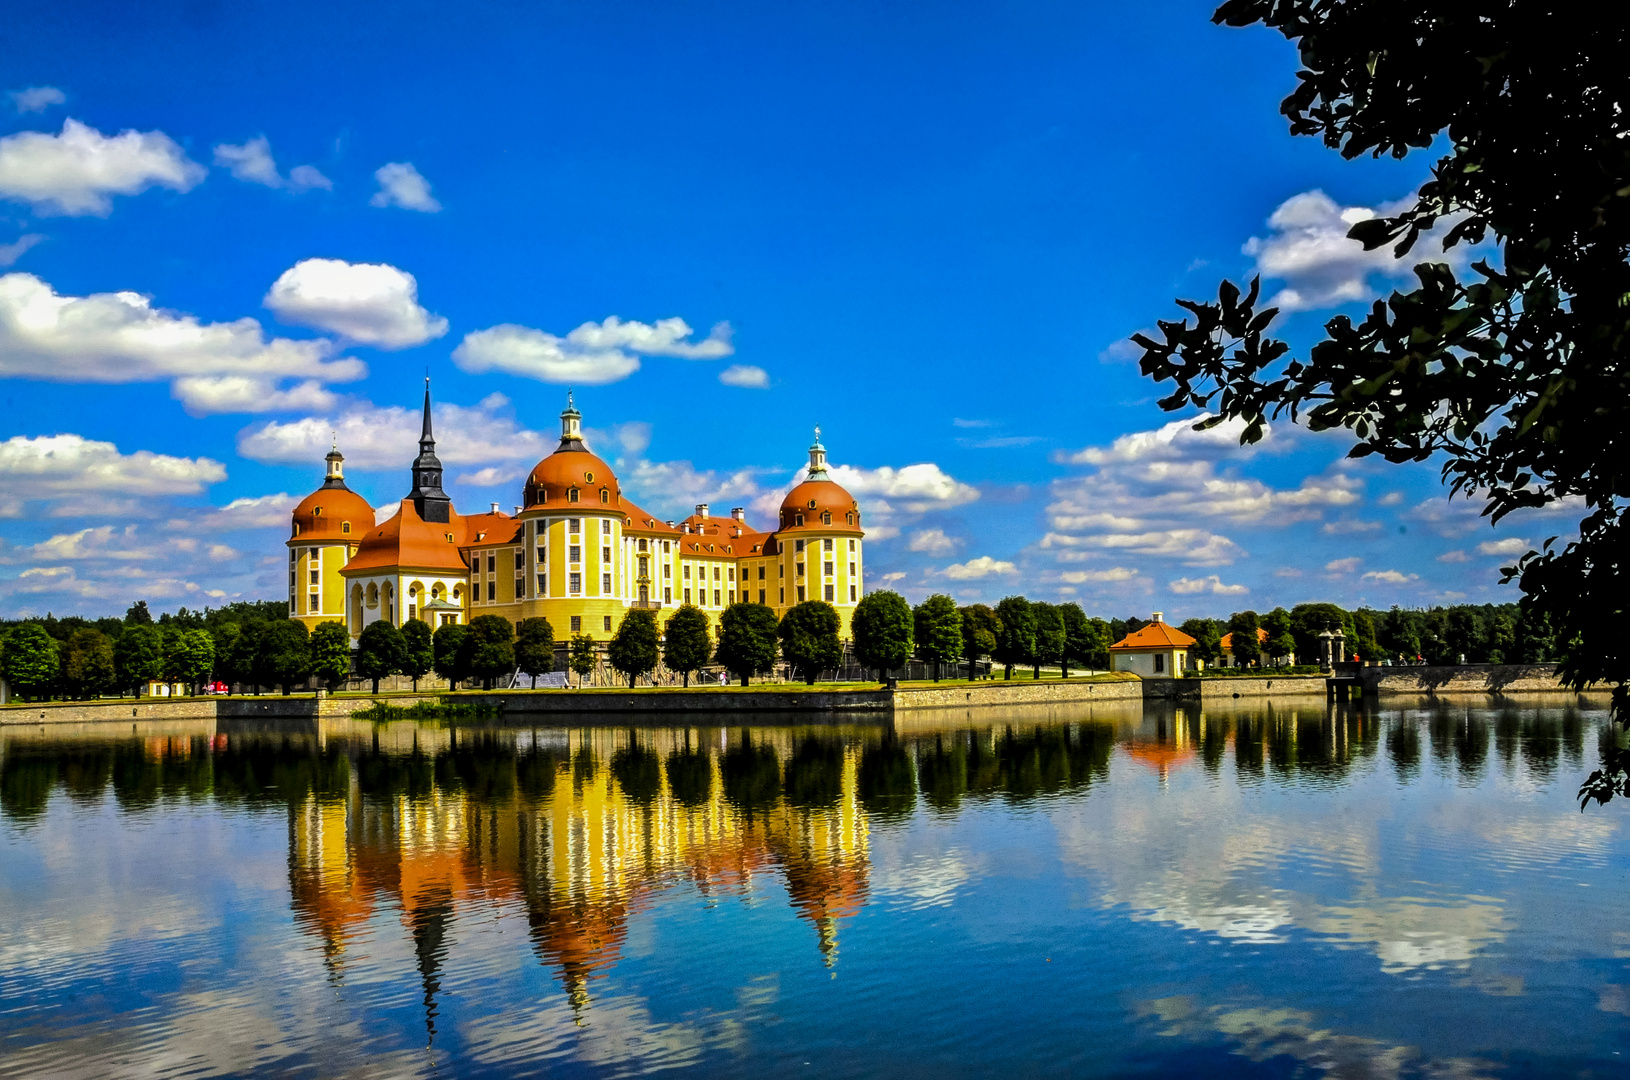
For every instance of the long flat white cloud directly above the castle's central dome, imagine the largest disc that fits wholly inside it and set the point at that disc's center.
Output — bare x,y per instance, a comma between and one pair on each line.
591,356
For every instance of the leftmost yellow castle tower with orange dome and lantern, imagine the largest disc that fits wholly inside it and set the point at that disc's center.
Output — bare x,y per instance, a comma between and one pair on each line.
325,533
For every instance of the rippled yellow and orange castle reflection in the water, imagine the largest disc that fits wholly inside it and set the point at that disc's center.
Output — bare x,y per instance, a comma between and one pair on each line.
579,828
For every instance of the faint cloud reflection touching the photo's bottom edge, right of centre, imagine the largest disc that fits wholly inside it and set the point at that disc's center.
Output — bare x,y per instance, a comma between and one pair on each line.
1261,1035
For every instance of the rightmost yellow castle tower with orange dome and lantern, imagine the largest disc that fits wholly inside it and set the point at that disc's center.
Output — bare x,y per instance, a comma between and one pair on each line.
819,542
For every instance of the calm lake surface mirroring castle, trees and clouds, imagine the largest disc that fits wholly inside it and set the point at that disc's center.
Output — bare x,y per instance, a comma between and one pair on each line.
1259,892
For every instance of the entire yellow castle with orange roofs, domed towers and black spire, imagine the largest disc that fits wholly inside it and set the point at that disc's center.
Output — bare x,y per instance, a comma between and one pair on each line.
578,551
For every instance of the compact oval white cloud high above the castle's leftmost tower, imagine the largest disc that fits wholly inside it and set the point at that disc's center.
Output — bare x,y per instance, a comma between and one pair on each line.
372,304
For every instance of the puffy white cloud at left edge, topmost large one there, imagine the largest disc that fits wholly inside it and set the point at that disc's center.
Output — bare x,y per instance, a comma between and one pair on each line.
79,170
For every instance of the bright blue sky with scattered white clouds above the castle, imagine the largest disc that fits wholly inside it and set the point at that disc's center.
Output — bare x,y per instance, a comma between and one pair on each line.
227,230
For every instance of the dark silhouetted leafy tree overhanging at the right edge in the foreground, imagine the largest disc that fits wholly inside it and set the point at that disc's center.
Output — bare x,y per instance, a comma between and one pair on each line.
1513,375
